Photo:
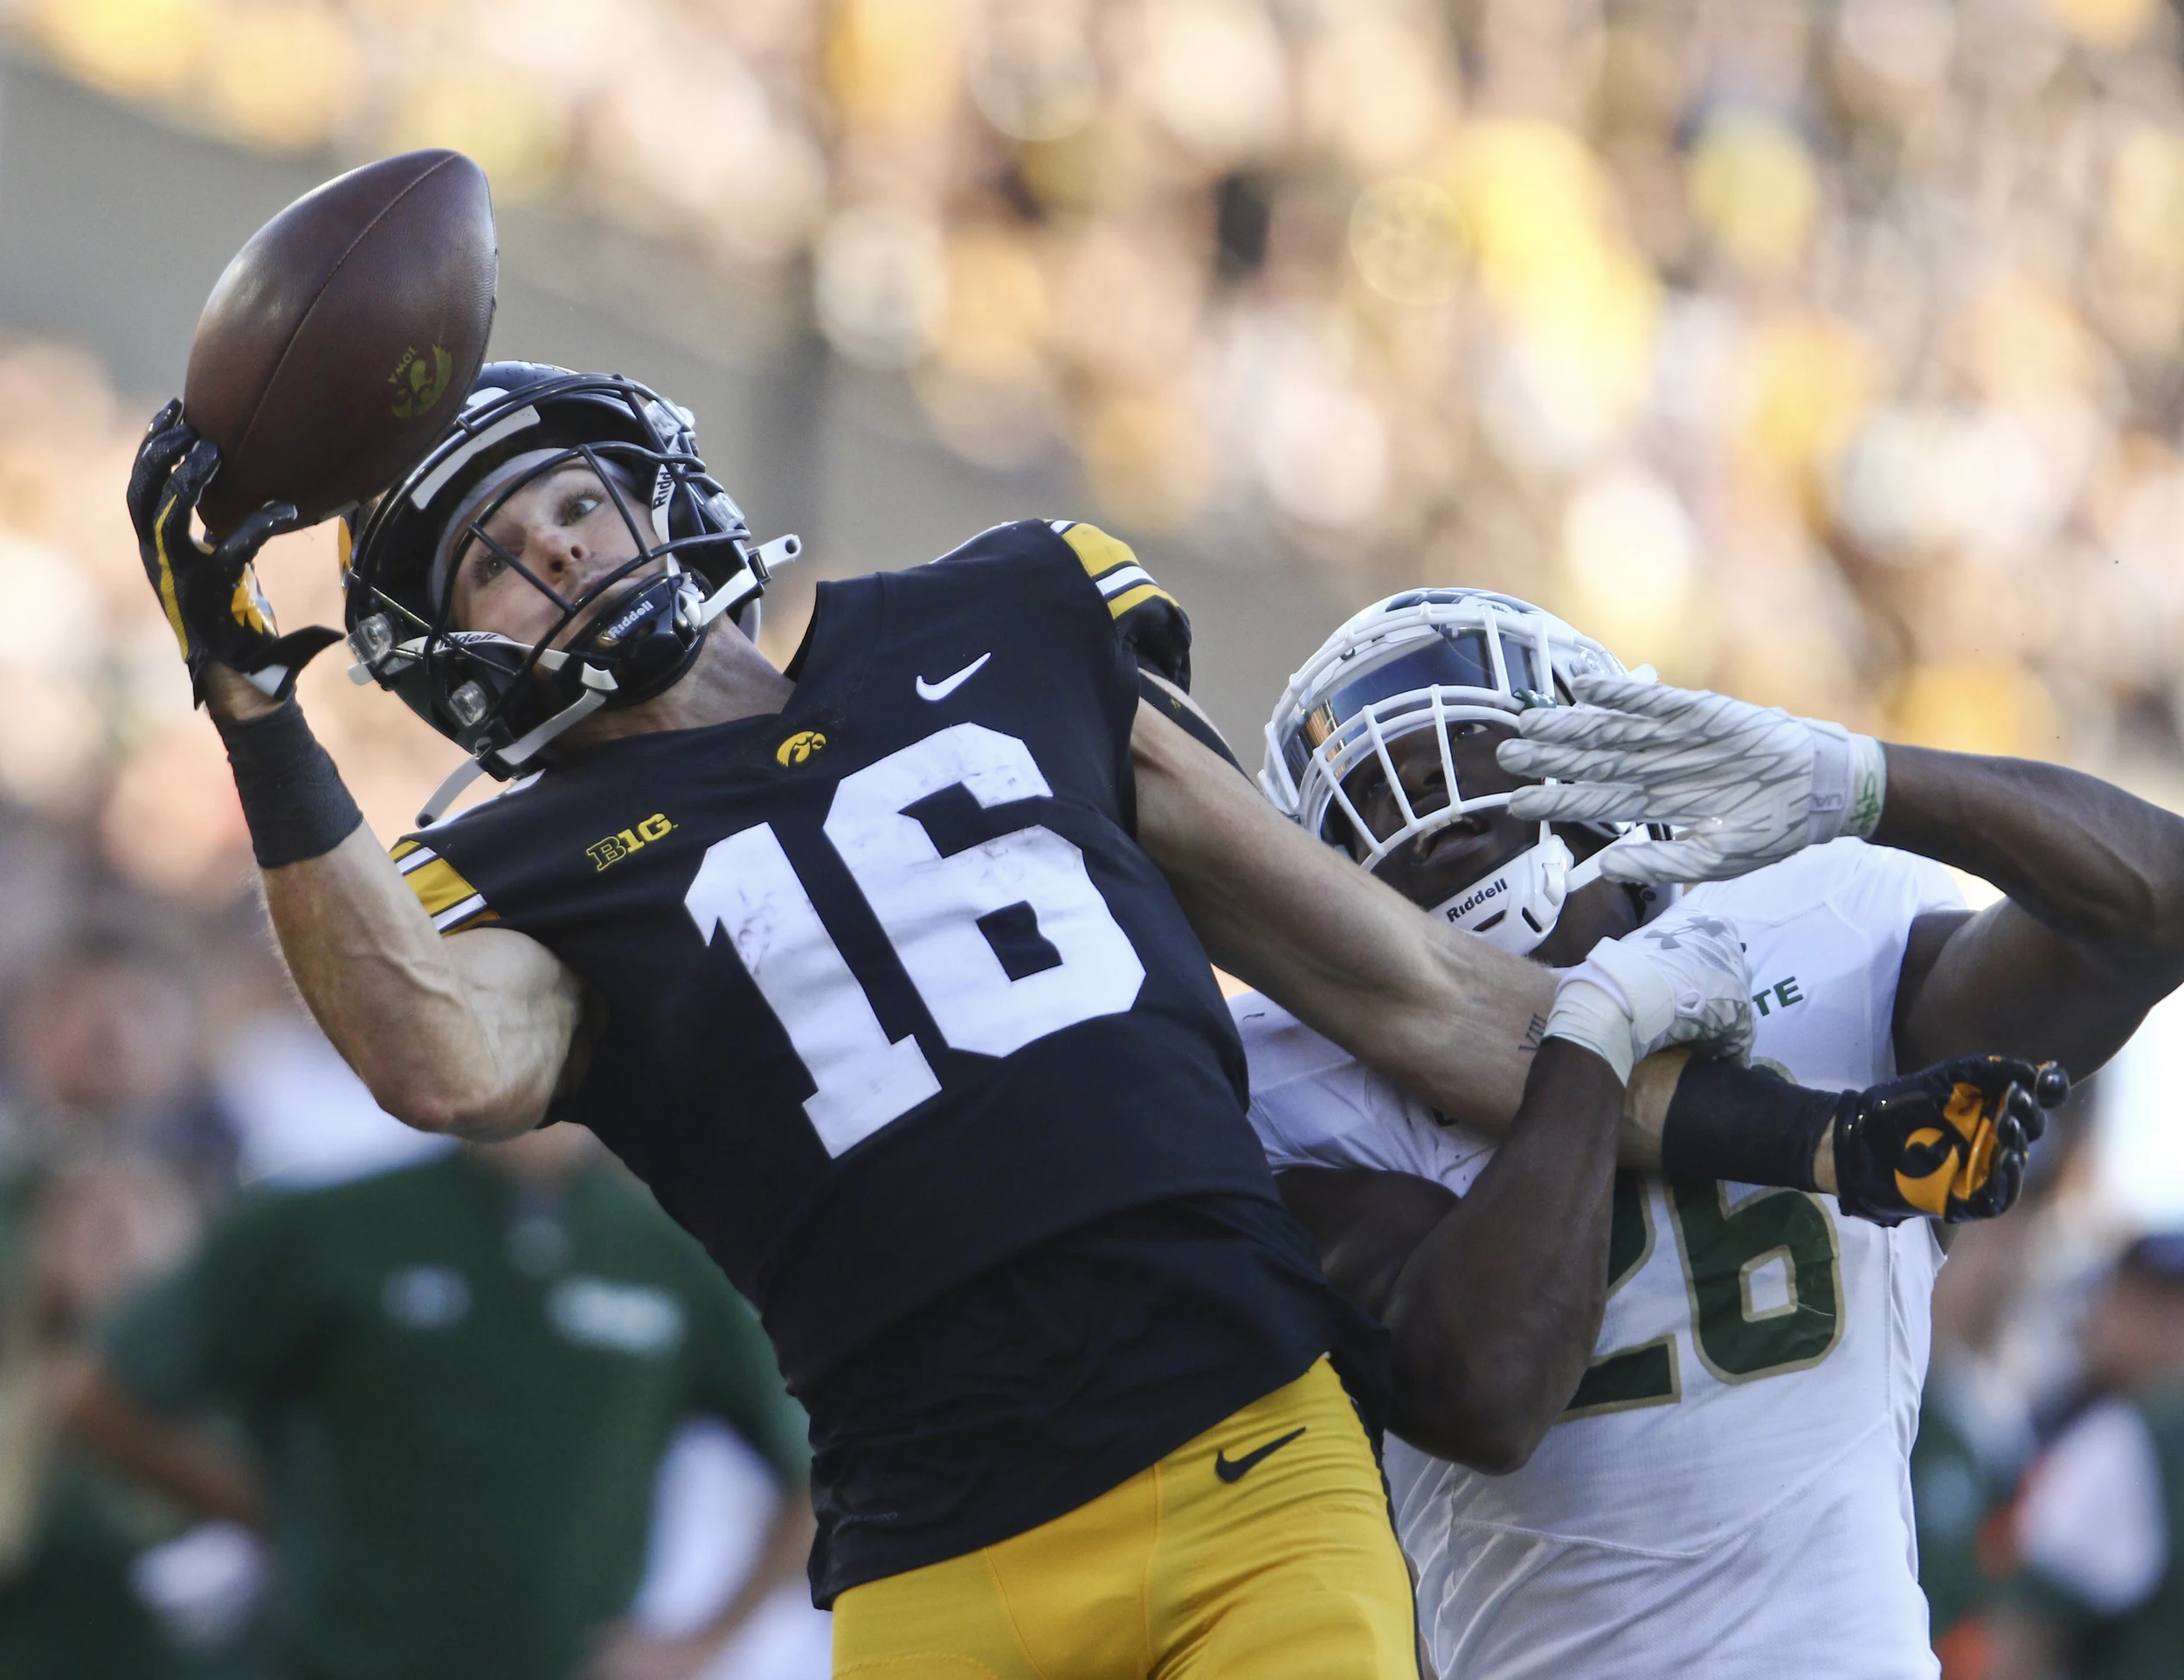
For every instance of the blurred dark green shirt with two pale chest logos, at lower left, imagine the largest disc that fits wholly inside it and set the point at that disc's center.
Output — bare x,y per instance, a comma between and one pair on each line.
462,1393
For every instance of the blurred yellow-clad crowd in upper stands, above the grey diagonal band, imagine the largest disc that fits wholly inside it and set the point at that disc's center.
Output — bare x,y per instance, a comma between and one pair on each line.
1818,351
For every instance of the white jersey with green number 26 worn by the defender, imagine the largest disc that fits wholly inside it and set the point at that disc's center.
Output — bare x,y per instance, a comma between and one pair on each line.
1729,1495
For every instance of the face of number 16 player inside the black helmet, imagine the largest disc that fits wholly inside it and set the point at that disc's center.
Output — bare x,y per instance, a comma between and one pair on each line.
567,532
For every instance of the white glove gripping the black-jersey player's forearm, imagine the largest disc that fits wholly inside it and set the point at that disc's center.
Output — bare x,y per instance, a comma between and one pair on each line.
1681,980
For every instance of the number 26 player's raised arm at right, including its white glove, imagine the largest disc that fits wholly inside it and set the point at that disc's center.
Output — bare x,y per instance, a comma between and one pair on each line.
2093,927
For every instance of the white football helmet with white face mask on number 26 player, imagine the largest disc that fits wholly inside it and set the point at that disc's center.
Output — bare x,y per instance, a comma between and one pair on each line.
1423,661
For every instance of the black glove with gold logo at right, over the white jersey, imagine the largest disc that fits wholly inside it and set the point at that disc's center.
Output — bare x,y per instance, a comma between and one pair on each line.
1947,1144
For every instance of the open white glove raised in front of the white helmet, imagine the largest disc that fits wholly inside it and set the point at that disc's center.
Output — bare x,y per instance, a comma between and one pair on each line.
1744,785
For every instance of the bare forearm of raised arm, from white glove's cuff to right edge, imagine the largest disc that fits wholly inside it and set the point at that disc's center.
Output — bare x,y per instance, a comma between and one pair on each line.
2080,855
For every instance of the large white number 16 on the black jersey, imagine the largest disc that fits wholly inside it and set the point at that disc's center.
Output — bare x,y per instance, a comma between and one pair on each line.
936,912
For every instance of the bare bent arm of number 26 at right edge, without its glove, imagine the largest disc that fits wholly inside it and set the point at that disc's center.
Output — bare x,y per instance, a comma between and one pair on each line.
2089,938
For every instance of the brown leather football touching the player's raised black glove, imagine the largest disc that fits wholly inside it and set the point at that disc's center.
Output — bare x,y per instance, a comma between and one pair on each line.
344,338
